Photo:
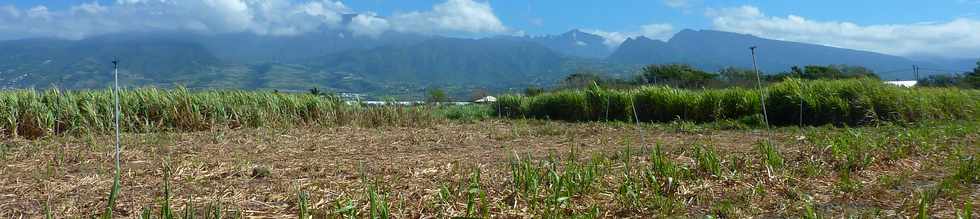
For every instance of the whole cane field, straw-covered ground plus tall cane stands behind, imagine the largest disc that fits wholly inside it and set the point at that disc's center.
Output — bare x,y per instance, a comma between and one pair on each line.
920,155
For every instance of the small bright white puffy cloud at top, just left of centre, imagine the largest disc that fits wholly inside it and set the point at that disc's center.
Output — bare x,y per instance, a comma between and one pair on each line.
466,16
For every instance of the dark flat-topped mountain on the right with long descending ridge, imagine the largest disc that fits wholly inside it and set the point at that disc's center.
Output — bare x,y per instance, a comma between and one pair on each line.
714,50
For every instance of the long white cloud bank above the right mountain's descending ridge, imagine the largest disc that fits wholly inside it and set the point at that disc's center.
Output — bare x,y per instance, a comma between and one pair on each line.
956,38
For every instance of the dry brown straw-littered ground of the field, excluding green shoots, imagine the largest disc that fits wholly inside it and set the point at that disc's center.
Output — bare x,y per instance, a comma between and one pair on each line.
71,176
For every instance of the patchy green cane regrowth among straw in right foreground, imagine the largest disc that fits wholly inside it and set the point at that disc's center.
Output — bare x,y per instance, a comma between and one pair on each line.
686,180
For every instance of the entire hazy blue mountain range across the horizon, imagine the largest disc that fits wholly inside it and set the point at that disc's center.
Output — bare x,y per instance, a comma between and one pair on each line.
398,63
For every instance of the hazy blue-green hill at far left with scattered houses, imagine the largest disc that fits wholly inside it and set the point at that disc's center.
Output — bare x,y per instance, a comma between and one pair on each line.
86,63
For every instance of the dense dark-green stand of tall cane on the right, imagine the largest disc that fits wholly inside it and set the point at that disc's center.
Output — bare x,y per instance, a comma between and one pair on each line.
851,102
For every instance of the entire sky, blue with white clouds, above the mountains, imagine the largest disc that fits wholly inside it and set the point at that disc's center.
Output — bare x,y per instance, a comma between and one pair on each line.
940,28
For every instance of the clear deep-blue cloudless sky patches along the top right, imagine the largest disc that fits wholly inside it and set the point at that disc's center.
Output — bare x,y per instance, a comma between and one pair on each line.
624,15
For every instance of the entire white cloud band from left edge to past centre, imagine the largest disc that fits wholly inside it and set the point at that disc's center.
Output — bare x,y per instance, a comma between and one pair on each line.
264,17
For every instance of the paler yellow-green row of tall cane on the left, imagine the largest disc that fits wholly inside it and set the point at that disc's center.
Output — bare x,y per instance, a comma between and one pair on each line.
33,113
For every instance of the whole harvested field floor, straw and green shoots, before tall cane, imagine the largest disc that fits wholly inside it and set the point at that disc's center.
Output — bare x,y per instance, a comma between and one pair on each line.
577,170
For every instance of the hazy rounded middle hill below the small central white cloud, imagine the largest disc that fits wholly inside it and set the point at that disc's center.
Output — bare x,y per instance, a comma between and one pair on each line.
450,60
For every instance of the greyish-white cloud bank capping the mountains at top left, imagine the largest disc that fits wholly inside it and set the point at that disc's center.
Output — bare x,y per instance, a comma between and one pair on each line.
269,17
